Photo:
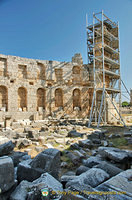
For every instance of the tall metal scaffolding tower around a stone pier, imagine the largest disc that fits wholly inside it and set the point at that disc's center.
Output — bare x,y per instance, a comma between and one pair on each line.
104,61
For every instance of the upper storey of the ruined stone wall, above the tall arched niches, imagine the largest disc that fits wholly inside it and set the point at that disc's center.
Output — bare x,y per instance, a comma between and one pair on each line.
18,68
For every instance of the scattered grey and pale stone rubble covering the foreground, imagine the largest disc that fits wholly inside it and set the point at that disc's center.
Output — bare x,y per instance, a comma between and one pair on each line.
99,170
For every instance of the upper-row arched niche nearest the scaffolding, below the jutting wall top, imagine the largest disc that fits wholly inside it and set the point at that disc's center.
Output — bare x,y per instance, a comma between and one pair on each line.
76,75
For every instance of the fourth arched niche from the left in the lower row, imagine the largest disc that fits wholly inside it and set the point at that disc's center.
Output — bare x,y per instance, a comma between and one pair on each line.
58,97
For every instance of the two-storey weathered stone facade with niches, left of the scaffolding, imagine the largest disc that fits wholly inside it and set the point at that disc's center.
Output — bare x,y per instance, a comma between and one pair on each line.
35,89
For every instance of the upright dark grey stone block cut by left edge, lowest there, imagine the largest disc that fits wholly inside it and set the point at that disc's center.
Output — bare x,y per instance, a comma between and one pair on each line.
6,173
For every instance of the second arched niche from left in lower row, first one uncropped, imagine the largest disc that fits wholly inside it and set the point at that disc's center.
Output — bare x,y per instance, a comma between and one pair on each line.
22,99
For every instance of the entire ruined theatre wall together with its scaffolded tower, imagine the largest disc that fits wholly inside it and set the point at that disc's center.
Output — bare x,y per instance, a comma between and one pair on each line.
35,89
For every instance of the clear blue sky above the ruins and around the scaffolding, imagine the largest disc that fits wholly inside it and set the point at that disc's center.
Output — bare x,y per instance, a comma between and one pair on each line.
55,29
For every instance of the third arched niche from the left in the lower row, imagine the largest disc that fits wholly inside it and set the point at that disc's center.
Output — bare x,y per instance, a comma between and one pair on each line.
40,99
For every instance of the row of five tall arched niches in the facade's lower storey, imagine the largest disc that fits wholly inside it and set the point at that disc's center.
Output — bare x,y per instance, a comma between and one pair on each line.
41,98
